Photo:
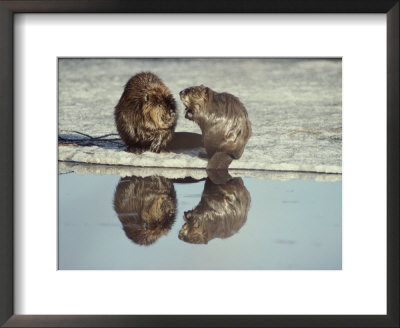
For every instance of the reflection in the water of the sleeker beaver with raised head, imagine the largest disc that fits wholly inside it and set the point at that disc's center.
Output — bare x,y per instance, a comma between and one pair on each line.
222,211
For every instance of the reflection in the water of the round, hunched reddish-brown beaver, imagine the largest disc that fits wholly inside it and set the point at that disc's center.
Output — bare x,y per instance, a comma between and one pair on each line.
146,207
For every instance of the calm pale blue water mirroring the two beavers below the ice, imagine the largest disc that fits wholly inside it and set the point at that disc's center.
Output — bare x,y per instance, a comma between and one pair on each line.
109,222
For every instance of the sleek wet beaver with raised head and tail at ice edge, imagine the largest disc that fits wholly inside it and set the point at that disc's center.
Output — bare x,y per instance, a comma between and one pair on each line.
223,120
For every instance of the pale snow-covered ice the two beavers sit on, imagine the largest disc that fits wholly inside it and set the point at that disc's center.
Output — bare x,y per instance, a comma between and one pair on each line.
294,105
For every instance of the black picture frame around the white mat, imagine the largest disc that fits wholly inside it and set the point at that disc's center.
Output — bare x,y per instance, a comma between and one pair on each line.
10,7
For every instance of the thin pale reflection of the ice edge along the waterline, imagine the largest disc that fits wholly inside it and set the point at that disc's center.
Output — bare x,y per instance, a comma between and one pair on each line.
174,173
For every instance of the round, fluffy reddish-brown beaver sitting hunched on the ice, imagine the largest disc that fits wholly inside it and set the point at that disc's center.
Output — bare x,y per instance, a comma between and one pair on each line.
146,115
